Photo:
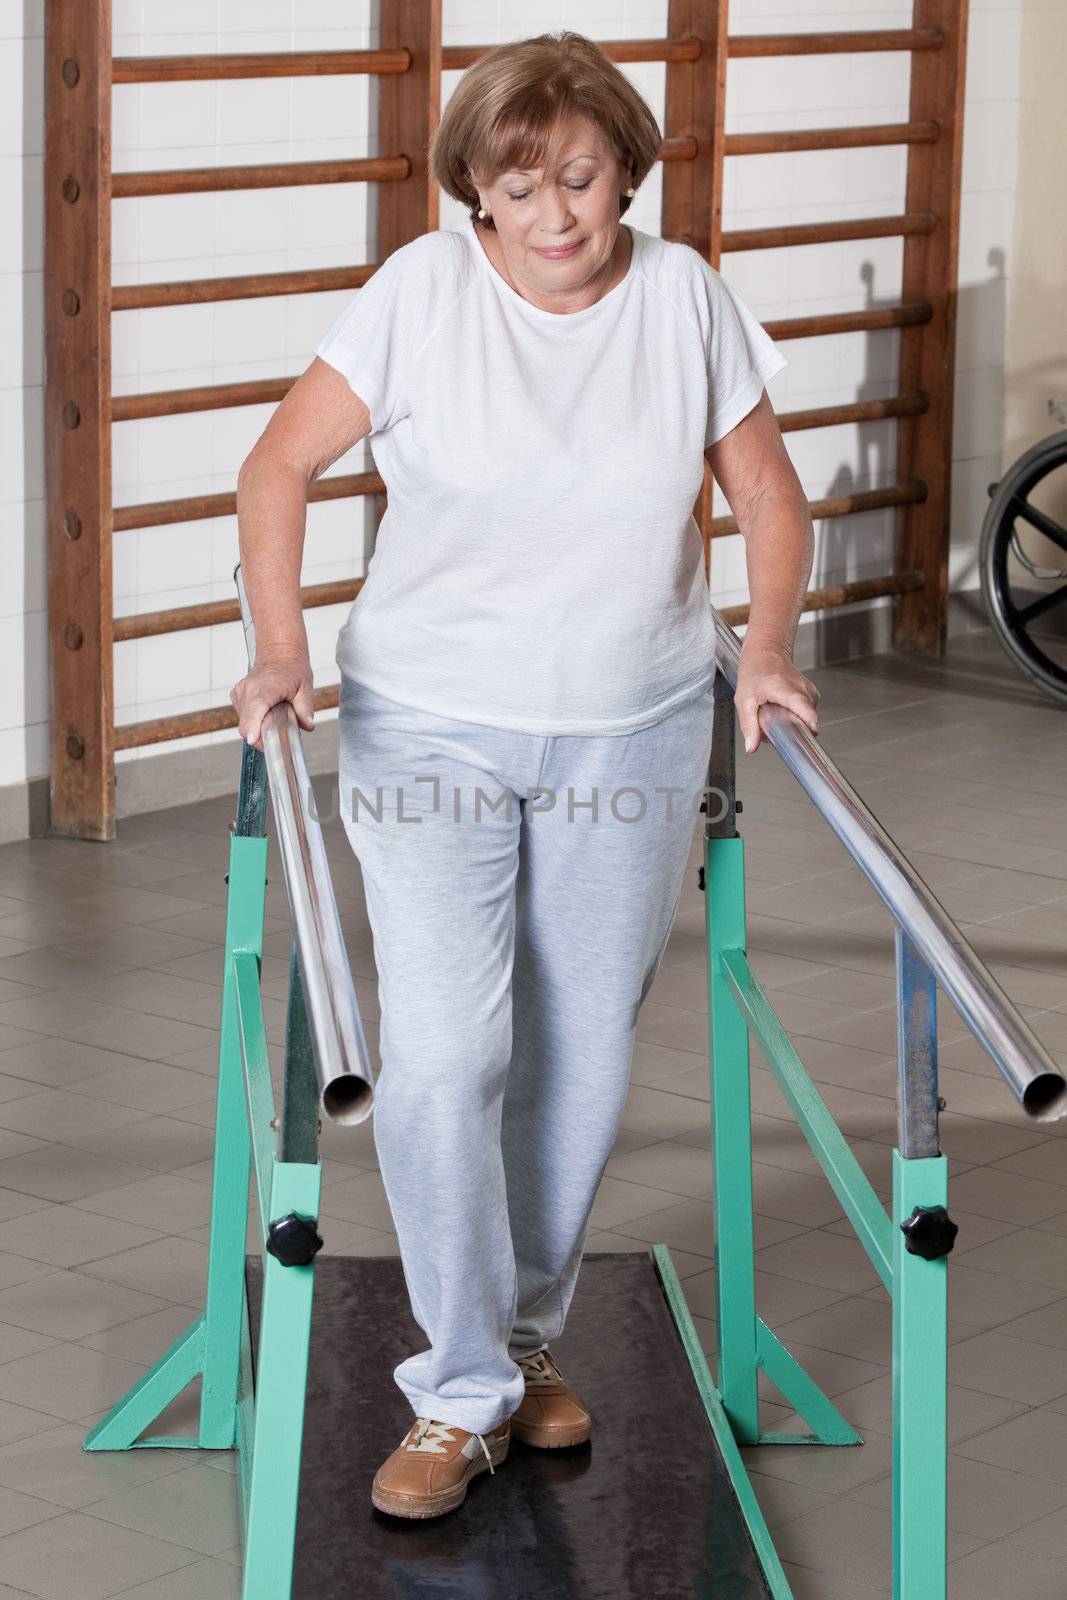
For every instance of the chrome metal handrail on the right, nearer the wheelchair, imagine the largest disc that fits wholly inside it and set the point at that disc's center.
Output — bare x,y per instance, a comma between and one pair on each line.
1017,1050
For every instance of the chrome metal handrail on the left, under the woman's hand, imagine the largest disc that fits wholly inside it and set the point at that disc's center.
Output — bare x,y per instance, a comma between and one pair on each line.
343,1066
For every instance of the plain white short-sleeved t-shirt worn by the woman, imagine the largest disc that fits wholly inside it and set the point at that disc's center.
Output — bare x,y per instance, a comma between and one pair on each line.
538,566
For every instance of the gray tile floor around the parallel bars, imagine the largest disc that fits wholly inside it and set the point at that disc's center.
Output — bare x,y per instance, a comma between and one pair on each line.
110,996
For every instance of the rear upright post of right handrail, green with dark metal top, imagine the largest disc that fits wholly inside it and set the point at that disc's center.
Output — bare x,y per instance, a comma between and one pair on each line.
732,1110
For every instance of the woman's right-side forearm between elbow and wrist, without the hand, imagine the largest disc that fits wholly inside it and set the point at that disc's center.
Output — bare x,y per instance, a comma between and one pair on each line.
780,548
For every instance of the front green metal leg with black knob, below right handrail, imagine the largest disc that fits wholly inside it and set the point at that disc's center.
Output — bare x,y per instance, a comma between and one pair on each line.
921,1391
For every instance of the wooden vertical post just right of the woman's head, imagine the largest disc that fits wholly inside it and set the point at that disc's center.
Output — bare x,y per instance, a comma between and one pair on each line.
693,191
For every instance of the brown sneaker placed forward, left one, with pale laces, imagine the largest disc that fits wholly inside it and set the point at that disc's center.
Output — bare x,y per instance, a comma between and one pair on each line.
430,1471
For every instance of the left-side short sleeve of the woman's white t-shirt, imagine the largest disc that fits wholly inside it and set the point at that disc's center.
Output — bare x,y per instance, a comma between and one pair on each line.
377,334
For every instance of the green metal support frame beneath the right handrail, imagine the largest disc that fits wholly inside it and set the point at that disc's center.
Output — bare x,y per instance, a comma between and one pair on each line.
917,1287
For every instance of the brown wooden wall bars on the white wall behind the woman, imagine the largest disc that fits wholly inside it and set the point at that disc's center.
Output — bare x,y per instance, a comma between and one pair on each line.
407,71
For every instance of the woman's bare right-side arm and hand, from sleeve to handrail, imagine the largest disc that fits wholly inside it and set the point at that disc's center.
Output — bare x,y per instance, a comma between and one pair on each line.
757,478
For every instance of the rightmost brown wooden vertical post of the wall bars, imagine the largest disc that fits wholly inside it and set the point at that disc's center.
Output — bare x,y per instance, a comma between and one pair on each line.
929,350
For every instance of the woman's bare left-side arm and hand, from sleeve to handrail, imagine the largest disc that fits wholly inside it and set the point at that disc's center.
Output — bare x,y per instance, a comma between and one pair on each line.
313,428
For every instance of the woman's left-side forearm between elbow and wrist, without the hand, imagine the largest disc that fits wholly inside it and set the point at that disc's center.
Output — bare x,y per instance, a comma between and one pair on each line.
271,522
